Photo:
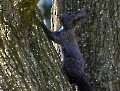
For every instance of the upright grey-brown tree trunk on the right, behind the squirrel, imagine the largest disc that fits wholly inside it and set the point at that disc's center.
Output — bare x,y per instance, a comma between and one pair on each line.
99,40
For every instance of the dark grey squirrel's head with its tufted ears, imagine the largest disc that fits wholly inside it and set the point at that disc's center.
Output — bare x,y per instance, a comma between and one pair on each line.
69,21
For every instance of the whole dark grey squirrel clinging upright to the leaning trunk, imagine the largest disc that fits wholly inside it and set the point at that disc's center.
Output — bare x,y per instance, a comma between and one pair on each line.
72,65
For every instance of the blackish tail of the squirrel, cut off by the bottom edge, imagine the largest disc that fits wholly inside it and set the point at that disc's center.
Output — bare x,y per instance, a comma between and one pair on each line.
83,85
